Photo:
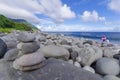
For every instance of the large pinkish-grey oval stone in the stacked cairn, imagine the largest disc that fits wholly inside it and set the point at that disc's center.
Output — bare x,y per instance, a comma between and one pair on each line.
29,60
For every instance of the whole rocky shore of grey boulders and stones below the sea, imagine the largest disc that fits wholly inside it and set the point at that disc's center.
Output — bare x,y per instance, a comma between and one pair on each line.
42,56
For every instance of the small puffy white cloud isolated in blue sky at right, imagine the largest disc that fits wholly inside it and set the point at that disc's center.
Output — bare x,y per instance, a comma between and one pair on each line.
91,16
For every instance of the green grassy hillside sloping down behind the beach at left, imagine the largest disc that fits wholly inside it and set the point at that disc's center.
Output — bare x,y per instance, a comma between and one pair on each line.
6,25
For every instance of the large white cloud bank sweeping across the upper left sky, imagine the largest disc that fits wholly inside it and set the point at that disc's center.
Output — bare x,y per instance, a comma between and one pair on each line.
26,9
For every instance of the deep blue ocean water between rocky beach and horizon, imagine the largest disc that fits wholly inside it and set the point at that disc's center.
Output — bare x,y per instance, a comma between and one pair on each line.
113,37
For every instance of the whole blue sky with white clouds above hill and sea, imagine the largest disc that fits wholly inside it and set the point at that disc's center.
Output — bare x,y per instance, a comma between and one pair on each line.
66,15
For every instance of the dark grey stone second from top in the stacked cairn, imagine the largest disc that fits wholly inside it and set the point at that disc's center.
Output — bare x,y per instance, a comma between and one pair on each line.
28,47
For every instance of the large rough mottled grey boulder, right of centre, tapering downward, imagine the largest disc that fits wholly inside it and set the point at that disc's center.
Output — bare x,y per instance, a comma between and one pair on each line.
89,55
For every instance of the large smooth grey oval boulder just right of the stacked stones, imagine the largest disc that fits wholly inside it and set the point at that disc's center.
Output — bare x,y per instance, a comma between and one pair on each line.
55,51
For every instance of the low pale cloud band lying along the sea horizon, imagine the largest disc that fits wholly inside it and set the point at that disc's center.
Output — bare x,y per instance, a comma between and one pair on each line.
74,28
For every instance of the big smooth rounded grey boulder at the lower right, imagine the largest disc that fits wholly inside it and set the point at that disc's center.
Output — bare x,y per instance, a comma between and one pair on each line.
107,66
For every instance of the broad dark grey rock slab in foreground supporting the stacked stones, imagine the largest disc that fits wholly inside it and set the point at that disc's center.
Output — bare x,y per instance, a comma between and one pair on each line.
54,69
